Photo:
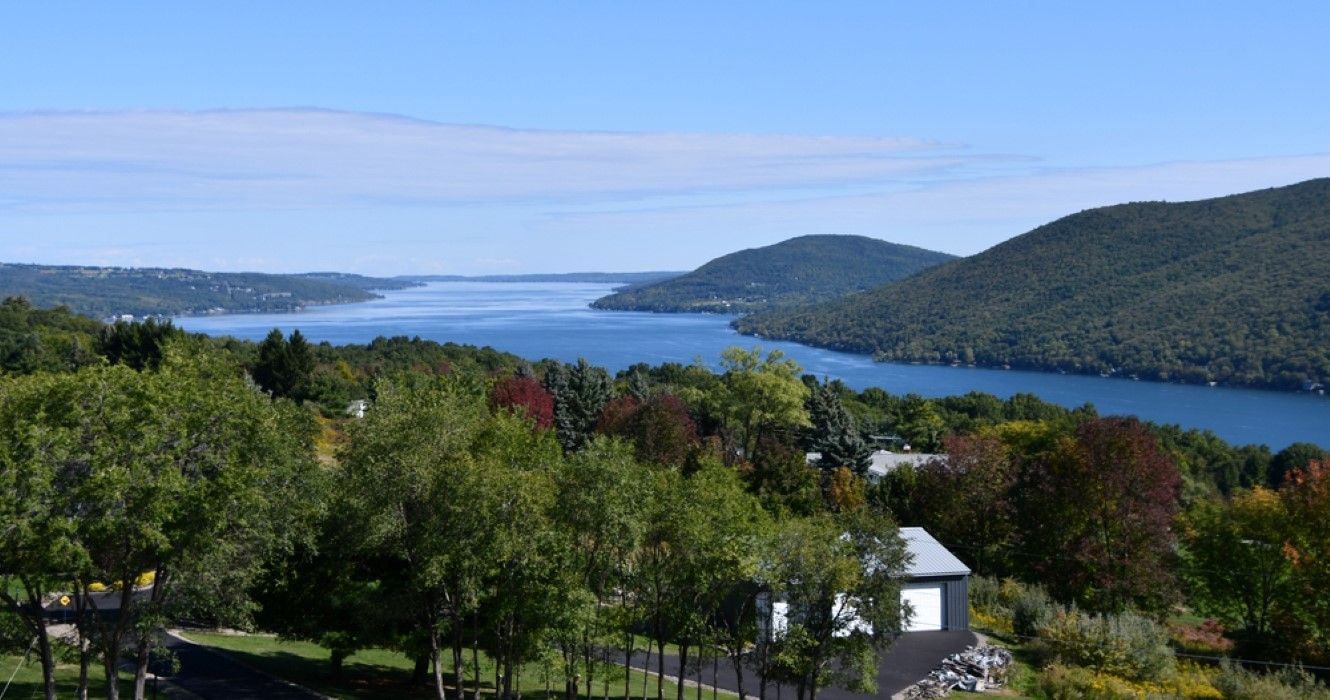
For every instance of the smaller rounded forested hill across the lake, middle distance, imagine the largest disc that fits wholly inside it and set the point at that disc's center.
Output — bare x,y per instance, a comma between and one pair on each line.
800,271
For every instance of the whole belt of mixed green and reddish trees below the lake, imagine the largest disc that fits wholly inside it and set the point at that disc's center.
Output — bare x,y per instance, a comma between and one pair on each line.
553,514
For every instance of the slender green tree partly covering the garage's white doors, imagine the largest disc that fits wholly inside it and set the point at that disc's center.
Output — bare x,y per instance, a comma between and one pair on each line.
840,577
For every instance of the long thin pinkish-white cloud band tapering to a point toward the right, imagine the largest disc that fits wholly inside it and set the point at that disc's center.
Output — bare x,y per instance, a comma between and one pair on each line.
295,159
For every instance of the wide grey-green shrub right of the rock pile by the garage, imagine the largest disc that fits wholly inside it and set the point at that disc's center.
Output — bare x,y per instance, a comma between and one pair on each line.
1126,645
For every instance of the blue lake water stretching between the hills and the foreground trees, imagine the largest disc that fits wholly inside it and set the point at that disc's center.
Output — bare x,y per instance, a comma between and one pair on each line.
553,320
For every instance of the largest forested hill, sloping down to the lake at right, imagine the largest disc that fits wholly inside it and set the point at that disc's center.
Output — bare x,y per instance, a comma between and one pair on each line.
1234,291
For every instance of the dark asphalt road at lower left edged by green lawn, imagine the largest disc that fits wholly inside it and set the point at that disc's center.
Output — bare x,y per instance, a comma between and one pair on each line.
216,677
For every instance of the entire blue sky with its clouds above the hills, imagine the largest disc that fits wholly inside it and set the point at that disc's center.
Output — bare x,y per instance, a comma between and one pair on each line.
417,138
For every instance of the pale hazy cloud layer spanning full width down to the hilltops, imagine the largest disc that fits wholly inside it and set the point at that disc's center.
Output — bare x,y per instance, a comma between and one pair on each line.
390,195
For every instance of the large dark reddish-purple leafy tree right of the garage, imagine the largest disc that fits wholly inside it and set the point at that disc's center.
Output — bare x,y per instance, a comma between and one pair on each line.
1097,516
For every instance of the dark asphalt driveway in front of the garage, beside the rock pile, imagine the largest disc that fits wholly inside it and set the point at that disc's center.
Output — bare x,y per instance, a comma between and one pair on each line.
909,661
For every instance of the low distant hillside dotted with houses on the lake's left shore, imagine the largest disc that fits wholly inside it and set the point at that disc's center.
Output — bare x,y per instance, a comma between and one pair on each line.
104,292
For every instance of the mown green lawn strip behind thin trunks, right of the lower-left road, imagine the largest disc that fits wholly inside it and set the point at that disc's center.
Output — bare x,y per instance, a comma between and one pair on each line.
381,674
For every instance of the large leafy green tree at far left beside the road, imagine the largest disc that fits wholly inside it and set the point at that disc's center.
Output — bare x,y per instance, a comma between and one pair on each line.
186,473
